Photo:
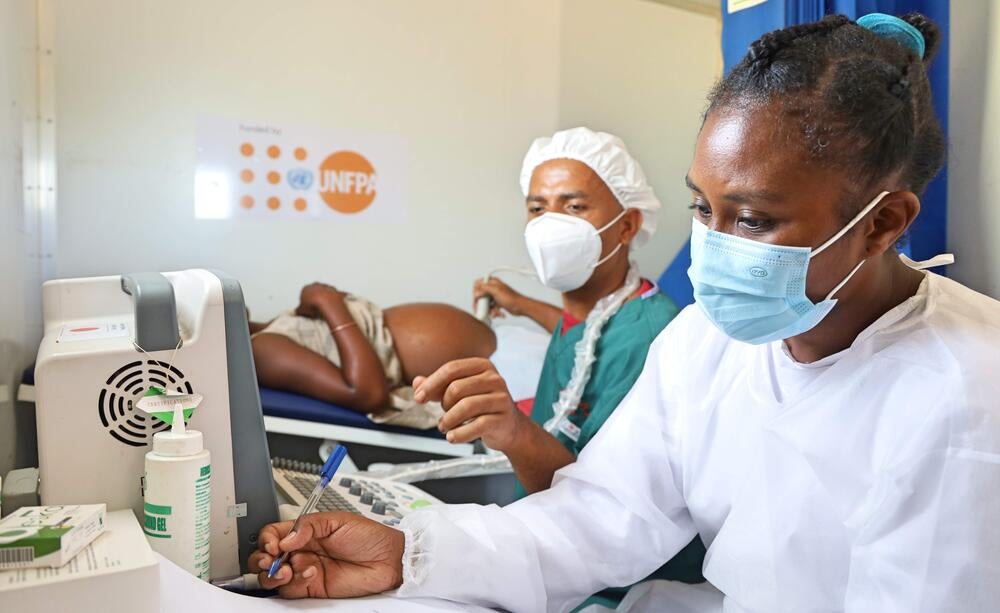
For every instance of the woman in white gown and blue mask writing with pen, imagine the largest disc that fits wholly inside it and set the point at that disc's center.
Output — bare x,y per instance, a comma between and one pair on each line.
827,418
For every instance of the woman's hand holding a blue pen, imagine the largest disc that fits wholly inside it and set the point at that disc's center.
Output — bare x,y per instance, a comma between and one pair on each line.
333,555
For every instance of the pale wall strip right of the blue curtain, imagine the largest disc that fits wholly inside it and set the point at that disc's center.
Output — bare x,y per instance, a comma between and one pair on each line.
974,153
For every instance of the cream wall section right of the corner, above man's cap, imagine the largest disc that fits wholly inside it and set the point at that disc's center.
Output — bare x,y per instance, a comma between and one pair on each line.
642,71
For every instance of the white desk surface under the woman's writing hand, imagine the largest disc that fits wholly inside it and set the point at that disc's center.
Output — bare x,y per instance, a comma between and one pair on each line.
180,592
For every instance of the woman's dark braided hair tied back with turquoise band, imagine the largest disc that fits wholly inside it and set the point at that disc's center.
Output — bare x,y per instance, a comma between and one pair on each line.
853,99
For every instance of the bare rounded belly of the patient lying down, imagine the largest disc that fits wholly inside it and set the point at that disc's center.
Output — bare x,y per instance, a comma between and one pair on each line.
428,335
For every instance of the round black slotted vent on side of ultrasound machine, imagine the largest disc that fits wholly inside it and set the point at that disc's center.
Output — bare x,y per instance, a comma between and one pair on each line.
123,422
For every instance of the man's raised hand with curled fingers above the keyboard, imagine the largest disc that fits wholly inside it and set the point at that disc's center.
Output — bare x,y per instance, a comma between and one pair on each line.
476,401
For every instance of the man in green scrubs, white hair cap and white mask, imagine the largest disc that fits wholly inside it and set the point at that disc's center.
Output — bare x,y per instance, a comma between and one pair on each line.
588,203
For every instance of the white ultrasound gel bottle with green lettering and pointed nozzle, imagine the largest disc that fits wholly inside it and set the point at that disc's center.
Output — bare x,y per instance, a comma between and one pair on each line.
177,509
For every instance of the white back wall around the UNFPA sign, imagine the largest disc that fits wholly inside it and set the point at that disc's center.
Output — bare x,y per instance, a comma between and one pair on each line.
468,83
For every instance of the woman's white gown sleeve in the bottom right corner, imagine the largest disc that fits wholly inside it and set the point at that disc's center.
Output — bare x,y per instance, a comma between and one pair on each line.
932,543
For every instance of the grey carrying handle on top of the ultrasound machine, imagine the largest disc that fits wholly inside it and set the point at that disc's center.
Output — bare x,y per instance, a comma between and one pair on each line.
155,310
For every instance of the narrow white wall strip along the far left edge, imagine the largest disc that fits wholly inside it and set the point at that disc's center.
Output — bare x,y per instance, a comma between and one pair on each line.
20,294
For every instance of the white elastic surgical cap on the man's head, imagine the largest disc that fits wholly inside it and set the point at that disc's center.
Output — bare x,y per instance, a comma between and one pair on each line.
605,154
